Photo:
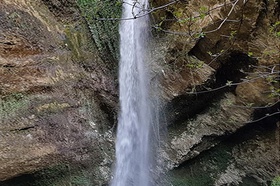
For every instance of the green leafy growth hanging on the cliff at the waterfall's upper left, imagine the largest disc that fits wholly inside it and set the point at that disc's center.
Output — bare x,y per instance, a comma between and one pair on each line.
104,33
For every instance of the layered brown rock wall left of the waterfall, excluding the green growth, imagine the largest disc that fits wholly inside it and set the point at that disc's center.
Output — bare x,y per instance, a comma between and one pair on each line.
57,98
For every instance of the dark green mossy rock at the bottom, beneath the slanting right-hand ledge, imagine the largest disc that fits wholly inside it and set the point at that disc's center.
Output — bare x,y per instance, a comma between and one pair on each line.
204,169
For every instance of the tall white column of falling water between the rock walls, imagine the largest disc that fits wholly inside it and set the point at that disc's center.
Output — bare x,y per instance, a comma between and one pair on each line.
133,146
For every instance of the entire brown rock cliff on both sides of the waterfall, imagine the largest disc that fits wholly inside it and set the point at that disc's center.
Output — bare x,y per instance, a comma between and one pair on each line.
217,64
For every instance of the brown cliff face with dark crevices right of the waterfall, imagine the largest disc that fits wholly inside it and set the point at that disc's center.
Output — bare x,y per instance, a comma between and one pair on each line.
218,60
